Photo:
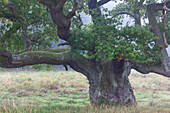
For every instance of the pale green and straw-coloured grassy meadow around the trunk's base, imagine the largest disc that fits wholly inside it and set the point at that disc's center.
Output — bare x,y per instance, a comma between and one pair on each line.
67,92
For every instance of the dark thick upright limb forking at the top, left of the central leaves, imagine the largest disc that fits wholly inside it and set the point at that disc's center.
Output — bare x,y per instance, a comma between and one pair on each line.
63,22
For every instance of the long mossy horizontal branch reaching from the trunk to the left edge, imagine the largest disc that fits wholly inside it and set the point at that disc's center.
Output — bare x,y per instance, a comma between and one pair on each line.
53,56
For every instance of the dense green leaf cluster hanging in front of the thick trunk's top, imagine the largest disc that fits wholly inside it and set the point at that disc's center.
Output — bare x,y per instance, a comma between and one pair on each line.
107,41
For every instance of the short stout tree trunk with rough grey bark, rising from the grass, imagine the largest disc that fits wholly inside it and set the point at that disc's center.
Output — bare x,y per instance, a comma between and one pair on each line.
110,84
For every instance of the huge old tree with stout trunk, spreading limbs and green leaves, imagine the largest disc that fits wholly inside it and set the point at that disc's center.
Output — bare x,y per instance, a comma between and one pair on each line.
103,51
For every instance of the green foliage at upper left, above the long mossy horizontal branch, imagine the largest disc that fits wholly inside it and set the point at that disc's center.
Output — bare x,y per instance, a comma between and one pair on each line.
35,26
